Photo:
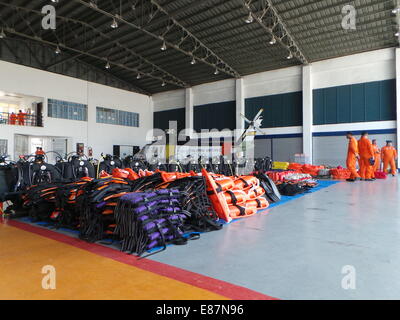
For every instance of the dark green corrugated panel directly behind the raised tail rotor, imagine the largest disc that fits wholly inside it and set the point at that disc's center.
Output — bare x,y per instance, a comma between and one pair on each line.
280,110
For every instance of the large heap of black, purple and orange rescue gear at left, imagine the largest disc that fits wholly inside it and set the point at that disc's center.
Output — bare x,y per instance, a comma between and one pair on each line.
140,209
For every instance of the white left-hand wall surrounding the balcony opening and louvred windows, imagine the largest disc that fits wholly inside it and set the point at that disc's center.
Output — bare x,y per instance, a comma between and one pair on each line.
101,137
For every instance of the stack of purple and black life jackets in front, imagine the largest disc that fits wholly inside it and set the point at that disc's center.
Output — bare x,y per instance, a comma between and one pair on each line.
148,220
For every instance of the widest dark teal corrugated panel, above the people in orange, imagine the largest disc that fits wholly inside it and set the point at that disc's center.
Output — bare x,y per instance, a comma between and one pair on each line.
372,101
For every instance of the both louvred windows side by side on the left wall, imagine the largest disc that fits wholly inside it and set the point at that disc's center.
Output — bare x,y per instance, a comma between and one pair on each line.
76,111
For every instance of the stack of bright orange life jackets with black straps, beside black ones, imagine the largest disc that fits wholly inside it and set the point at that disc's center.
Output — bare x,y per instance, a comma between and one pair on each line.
235,197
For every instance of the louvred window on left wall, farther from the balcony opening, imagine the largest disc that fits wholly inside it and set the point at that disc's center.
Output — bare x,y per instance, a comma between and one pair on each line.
117,117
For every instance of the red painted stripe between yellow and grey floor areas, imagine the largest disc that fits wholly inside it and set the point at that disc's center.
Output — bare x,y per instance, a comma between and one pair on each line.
222,288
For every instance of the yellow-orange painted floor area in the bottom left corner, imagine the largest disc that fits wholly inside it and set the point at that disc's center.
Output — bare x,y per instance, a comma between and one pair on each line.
79,274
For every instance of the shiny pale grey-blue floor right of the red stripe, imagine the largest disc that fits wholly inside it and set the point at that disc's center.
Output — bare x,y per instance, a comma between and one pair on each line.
298,250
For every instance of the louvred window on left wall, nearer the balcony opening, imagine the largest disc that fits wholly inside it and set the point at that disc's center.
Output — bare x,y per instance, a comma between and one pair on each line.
67,110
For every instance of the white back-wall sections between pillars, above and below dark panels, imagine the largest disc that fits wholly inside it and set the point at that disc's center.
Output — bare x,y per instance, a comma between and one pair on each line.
359,68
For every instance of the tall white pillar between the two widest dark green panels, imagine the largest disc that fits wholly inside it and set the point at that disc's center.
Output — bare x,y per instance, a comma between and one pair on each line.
307,113
